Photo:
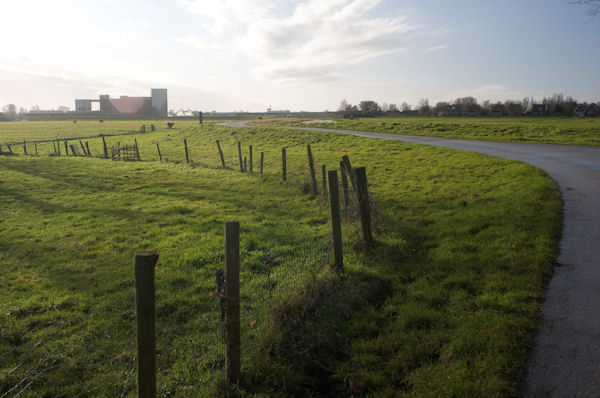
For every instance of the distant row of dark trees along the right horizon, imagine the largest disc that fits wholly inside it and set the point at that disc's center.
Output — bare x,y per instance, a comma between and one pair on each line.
556,105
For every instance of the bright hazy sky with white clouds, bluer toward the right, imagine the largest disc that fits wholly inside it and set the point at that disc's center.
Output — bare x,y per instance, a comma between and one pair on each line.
247,55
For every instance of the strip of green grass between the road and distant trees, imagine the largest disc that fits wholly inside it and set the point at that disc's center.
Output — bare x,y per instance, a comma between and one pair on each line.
566,131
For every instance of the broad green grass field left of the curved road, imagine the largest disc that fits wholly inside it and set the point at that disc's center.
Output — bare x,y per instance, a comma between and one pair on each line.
445,303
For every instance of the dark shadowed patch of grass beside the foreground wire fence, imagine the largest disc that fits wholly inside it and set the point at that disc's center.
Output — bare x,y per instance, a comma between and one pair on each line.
311,333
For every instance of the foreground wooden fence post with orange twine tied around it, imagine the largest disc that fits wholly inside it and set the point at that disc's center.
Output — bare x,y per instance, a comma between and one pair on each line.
232,298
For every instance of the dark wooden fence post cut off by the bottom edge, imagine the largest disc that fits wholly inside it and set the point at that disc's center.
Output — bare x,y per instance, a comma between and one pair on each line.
145,313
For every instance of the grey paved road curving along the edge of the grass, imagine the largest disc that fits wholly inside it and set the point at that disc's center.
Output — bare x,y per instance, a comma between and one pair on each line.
565,360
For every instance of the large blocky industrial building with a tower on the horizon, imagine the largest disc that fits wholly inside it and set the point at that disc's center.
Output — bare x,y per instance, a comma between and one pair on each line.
124,106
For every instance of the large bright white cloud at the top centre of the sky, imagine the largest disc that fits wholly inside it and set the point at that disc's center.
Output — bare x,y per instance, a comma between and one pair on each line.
315,42
